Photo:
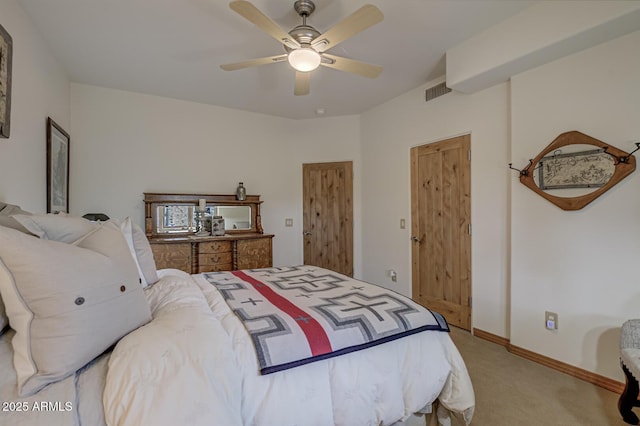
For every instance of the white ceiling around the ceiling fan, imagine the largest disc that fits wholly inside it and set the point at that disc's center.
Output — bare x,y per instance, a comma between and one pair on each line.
175,49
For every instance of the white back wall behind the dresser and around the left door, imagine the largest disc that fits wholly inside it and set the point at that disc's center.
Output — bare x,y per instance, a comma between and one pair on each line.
128,143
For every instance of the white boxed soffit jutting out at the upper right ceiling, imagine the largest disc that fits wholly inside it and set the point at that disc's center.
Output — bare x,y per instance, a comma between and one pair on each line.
543,32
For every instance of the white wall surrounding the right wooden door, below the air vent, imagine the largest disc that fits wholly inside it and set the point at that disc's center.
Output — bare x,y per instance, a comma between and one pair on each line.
388,133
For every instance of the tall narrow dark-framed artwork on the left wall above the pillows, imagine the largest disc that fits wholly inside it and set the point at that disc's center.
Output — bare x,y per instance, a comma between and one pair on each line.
57,168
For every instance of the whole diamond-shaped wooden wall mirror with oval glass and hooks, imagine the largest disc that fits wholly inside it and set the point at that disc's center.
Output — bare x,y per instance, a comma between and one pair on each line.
575,169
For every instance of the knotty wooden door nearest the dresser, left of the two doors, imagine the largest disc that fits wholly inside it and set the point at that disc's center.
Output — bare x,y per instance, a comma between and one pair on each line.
328,215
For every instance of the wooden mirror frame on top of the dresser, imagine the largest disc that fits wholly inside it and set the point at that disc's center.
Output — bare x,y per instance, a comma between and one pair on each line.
152,200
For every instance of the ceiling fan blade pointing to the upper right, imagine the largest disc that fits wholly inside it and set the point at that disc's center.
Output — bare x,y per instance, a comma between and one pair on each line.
359,20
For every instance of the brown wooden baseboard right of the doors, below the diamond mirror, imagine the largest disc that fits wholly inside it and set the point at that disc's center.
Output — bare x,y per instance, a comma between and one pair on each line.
587,376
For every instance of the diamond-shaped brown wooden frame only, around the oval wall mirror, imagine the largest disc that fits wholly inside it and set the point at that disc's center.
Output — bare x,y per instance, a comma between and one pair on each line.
624,164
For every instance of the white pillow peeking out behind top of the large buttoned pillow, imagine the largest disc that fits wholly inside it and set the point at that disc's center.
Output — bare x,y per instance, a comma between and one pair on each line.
56,227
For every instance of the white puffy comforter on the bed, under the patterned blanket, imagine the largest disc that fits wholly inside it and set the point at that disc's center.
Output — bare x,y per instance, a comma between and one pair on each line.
195,364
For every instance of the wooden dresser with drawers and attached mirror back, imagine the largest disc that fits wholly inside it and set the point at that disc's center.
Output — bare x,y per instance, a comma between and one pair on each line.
246,248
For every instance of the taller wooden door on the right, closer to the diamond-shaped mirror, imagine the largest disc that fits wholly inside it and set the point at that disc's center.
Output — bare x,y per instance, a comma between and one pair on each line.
441,230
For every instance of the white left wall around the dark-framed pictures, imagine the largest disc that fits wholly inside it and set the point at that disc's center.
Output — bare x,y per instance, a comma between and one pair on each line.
40,89
